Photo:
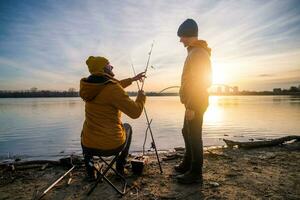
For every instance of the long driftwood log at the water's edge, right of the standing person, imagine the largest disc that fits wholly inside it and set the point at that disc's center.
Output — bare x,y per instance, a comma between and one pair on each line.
256,144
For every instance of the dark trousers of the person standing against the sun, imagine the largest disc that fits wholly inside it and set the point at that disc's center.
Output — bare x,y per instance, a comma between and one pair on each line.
192,135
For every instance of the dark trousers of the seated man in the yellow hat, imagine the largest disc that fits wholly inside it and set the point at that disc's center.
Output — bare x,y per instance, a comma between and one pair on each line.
88,153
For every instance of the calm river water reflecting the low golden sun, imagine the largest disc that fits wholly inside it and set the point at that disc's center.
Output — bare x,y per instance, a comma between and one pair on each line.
50,127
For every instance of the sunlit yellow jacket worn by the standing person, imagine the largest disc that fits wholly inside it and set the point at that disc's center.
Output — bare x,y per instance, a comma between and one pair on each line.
196,77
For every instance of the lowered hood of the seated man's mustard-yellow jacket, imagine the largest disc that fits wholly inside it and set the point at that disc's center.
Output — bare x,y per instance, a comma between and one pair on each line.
92,86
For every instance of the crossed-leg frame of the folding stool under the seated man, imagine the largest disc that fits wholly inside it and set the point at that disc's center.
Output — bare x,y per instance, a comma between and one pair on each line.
101,174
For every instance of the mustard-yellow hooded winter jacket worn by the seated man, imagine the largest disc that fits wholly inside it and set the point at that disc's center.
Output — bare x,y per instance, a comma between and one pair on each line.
105,99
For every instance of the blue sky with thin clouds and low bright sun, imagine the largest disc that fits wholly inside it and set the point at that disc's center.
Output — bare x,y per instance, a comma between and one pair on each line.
44,44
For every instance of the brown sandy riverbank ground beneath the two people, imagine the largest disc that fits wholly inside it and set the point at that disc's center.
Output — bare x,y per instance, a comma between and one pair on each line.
262,173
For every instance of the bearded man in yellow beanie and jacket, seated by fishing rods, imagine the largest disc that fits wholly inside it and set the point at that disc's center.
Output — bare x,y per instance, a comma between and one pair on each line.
103,133
